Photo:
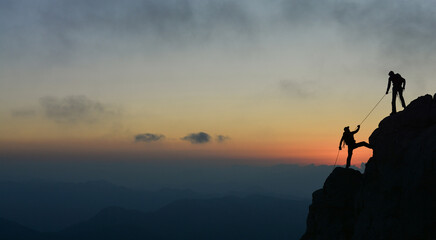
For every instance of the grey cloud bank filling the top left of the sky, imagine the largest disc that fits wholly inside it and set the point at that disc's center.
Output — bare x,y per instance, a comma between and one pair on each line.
57,28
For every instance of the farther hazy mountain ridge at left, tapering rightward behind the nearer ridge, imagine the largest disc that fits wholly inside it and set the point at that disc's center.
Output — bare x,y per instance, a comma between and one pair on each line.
51,206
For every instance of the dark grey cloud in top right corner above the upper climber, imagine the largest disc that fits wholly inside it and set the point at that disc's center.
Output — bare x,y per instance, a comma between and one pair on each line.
399,27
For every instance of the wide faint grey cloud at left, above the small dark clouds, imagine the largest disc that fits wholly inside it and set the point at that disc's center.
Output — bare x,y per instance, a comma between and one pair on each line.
76,109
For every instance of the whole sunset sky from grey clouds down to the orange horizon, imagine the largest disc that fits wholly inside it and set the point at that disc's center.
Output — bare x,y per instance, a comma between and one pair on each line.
254,82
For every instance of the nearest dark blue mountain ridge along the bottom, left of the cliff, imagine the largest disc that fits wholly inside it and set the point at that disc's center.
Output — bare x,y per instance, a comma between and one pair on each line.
255,217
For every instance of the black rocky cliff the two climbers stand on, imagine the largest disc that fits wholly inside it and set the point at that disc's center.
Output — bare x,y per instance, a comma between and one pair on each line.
395,198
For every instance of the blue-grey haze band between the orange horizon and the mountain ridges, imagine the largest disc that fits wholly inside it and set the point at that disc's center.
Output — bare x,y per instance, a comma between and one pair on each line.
285,179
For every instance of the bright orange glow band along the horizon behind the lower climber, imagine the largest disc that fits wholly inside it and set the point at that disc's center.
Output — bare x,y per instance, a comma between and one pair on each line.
318,153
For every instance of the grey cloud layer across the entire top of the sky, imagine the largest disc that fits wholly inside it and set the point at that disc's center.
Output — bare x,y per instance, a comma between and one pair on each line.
56,28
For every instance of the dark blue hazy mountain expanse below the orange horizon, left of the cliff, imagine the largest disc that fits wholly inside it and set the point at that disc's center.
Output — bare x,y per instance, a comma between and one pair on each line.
65,201
